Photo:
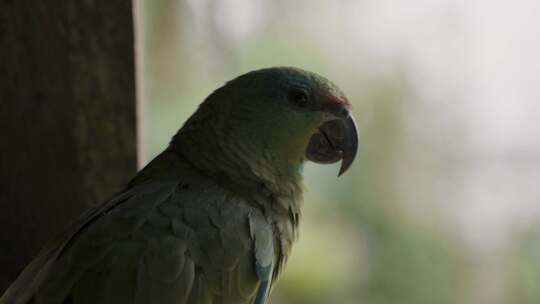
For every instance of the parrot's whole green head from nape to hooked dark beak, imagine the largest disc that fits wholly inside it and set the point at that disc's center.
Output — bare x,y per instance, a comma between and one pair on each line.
275,117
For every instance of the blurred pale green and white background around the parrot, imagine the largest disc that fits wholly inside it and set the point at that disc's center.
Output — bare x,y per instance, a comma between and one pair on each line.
443,202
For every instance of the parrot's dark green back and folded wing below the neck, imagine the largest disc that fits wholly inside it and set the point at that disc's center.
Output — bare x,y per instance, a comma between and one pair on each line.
168,238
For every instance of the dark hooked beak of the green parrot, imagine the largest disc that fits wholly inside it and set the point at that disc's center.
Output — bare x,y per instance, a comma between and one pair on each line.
335,140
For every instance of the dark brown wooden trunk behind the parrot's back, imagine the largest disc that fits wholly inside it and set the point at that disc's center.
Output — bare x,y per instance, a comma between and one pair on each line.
67,117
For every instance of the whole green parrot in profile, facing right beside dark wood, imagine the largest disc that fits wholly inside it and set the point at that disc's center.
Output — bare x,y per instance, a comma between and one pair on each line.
212,219
